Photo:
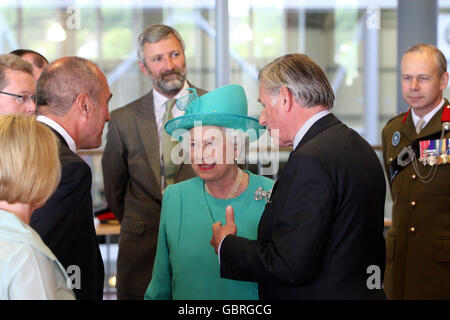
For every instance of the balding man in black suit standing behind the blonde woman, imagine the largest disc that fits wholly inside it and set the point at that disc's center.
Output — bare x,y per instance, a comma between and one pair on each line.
73,96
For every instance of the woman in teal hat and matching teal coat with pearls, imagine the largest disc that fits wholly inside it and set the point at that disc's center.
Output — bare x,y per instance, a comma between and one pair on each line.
212,129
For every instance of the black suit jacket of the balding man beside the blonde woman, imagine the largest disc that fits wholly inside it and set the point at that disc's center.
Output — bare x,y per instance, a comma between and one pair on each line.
66,224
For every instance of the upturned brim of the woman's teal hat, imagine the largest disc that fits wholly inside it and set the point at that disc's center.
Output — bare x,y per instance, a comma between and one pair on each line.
227,120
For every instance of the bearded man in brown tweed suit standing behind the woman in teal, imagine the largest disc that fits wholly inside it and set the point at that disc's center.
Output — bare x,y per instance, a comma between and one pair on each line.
135,167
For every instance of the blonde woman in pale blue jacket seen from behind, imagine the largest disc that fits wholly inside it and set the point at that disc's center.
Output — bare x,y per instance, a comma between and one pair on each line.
29,173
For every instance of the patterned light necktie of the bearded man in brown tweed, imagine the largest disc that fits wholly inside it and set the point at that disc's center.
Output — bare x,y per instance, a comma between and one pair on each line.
170,168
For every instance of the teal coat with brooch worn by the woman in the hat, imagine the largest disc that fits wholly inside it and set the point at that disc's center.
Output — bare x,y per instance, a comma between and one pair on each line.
186,266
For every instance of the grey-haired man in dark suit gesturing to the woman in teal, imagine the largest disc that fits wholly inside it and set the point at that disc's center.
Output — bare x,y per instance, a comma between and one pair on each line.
321,233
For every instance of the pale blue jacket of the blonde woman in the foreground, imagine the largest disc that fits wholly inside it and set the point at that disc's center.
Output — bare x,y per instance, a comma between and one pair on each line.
28,269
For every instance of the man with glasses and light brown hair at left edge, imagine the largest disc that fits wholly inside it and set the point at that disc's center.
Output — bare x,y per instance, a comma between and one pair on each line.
17,86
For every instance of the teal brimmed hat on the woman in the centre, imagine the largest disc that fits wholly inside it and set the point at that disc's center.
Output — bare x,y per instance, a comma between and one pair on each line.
223,107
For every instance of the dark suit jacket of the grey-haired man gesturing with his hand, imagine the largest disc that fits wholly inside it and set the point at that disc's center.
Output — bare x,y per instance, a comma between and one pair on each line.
323,226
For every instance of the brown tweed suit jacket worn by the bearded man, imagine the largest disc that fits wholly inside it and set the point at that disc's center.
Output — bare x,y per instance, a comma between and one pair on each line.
132,179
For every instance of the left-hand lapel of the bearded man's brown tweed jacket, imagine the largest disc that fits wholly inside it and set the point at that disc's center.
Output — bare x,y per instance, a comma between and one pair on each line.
146,125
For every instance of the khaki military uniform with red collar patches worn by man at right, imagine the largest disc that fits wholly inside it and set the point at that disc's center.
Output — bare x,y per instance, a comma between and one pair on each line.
418,243
